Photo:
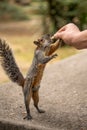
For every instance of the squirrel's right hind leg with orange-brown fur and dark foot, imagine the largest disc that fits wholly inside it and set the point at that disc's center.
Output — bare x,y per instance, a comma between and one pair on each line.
35,97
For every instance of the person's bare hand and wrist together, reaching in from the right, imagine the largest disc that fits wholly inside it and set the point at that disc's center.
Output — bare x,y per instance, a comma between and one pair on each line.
72,36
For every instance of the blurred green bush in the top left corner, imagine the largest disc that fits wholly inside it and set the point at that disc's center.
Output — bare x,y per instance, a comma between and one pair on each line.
11,12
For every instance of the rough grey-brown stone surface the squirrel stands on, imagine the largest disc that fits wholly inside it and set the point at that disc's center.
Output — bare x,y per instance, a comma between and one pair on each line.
63,96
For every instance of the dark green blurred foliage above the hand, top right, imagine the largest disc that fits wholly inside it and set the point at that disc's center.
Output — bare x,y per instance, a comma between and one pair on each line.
62,12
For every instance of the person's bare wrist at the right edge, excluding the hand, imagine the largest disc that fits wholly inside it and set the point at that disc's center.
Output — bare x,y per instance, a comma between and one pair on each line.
80,40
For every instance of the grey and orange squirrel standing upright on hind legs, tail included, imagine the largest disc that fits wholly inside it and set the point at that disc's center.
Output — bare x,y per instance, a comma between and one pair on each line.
45,47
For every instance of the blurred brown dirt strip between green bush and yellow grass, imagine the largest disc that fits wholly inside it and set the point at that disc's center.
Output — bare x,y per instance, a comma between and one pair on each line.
25,28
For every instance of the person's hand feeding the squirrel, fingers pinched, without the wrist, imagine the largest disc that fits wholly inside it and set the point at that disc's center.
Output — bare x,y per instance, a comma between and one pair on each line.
67,33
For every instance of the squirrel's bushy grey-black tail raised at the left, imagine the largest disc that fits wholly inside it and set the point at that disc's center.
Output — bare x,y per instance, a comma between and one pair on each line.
9,64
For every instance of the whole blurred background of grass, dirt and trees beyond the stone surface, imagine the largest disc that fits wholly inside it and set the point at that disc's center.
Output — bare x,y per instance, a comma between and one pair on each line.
23,21
